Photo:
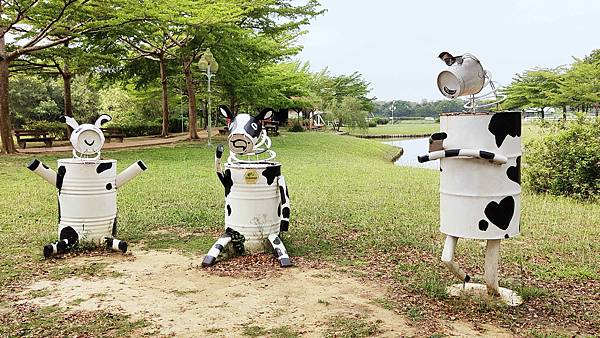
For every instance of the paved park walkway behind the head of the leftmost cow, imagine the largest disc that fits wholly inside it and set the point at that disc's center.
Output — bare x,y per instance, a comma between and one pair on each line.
132,142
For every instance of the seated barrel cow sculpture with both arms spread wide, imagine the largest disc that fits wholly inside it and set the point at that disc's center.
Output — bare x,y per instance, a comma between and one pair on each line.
87,190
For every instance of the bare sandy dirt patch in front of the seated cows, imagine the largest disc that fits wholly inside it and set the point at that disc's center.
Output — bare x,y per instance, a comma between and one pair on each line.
181,299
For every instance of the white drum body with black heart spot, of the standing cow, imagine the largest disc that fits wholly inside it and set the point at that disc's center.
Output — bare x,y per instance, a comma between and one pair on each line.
478,199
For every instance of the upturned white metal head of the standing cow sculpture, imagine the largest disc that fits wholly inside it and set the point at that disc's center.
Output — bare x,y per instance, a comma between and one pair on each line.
464,77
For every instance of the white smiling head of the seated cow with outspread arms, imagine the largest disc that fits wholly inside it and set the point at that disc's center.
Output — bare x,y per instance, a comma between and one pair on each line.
87,139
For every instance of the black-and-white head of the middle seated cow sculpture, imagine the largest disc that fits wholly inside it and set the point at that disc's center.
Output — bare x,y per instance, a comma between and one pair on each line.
246,134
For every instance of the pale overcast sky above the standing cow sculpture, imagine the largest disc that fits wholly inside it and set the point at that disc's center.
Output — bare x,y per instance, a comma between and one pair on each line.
395,44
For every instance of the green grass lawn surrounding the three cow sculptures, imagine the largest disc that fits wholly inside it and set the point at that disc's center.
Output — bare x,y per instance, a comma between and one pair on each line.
350,206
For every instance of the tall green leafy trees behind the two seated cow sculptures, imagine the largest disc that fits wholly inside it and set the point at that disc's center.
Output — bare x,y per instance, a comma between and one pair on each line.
137,60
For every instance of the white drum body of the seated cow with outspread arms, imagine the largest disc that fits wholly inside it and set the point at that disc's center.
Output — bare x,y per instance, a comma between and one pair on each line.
87,198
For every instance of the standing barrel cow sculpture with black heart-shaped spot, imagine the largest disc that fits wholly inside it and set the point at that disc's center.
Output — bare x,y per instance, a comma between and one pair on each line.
480,185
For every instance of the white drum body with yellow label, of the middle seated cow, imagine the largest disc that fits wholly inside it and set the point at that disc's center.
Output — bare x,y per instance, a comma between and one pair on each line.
252,207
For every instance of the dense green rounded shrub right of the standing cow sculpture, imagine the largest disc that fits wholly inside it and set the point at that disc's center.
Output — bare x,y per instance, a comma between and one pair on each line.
565,161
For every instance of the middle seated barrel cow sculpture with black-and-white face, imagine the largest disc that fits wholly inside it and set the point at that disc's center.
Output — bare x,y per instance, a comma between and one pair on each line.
257,203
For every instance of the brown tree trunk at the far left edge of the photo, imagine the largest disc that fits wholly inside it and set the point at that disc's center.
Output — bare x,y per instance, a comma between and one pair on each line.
8,144
